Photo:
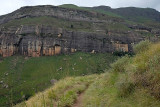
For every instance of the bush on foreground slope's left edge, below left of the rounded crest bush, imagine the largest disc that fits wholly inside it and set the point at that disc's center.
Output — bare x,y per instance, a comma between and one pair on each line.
119,65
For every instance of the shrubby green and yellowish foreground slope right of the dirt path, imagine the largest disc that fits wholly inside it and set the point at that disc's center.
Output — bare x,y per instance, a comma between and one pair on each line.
132,82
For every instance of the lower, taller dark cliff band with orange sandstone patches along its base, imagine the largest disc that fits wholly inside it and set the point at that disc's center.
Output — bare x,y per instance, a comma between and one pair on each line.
41,40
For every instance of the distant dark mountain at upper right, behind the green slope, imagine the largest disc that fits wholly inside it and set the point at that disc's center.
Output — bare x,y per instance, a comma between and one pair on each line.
132,13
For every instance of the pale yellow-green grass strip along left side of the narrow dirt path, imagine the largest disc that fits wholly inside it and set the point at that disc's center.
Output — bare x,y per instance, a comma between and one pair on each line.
63,94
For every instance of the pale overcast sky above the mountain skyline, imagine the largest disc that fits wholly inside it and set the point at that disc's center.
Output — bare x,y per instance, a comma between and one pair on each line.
7,6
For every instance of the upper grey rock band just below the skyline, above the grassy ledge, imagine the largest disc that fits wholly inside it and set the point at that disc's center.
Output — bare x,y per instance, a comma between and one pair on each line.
57,12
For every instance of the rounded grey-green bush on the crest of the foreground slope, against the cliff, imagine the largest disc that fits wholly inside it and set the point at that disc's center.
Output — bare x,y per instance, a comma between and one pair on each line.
142,46
